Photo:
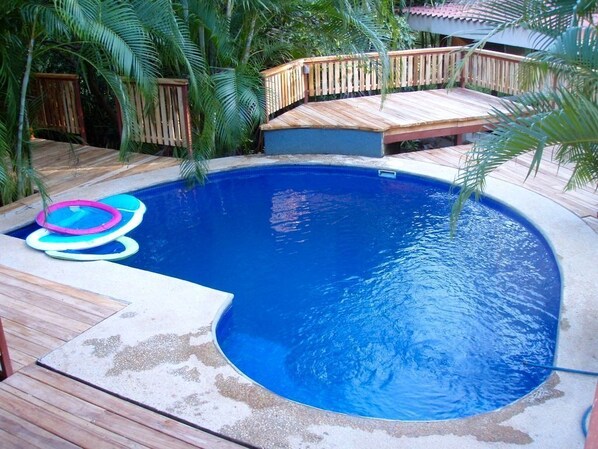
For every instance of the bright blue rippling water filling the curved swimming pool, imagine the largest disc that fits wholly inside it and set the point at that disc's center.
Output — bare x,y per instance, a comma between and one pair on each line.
350,294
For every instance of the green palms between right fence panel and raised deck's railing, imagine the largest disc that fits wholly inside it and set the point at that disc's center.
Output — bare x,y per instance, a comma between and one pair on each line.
240,38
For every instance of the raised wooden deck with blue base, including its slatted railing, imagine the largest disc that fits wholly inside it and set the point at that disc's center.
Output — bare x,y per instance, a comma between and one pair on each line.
360,123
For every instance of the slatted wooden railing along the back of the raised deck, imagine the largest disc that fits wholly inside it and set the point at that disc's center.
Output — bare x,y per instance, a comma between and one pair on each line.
322,78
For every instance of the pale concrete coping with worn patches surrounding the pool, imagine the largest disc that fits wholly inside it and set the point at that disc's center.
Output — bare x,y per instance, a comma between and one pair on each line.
159,350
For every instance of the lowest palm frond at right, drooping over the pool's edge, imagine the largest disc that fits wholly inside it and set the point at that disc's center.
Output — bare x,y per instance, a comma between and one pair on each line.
564,119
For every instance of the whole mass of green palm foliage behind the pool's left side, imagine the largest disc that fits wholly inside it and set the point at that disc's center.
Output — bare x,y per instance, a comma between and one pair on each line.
220,46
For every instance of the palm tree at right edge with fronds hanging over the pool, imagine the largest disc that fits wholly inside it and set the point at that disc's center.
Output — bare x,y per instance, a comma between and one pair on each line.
562,113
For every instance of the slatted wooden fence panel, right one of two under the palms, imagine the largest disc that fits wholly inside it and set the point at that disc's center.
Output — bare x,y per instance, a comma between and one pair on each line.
166,121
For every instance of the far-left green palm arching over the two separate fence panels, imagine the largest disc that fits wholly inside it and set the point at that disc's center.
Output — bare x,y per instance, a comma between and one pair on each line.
118,40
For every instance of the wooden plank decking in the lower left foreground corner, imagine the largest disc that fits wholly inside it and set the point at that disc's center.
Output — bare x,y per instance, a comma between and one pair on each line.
40,408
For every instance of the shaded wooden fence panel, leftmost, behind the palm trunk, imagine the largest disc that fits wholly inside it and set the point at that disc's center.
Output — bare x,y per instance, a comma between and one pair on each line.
60,108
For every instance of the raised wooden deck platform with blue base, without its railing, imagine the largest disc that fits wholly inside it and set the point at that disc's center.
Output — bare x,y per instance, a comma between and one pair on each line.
402,116
